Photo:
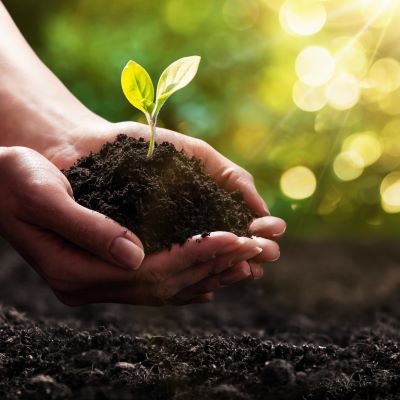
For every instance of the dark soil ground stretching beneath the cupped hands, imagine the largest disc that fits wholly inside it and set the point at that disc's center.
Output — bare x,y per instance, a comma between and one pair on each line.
324,323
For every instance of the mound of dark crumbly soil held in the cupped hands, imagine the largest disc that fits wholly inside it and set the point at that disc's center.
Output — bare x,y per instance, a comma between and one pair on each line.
164,200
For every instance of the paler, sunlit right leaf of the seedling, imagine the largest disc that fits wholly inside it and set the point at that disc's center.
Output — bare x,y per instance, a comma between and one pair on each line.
175,77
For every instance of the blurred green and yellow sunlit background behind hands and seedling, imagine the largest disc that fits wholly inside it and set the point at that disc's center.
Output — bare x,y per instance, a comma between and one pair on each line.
303,93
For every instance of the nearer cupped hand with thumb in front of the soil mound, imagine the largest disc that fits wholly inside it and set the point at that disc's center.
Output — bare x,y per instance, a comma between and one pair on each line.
86,257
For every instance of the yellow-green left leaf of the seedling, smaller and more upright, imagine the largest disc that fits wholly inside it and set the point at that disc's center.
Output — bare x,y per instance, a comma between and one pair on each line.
138,87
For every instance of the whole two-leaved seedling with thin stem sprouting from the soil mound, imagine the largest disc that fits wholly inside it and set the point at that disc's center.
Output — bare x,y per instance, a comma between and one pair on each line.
138,88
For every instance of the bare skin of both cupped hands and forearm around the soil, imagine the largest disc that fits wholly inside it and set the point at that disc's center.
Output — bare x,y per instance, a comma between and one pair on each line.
82,255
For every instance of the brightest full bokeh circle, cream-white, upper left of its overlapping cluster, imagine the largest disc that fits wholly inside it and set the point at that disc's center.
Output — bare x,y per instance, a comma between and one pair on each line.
315,66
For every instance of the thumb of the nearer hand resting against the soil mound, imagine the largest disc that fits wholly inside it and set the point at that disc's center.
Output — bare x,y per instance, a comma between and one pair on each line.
94,232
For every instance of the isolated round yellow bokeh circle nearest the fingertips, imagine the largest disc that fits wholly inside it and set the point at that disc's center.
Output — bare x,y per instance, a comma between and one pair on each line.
298,183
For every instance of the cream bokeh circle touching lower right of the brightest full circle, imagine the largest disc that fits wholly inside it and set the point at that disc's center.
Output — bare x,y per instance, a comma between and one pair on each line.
343,92
